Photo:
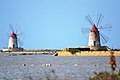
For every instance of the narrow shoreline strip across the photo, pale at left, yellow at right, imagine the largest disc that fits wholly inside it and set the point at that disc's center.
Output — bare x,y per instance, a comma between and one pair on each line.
64,53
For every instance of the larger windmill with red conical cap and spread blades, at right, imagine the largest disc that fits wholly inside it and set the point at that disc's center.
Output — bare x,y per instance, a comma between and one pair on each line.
95,33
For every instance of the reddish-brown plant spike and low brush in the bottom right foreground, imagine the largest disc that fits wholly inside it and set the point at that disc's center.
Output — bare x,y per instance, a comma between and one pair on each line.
106,75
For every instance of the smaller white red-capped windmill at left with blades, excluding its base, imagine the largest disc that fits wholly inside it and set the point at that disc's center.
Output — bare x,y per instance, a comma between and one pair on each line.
14,38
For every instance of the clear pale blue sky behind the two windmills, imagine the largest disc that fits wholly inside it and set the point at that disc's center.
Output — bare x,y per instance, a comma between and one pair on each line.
56,24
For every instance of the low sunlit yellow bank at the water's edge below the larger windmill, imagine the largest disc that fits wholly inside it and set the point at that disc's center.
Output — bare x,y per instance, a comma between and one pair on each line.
88,53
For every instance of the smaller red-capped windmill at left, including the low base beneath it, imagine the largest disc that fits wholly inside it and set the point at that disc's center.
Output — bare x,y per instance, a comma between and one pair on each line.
15,41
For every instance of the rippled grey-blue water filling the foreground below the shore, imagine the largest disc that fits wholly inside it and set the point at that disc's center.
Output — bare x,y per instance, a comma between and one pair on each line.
62,68
